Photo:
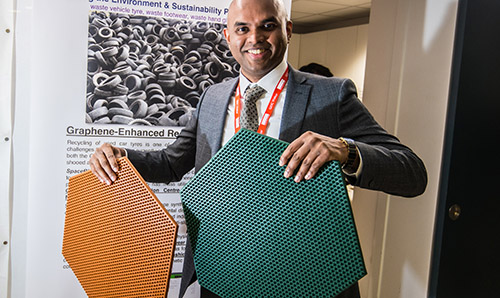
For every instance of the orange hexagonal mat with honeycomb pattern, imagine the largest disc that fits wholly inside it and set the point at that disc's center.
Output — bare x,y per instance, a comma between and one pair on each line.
119,240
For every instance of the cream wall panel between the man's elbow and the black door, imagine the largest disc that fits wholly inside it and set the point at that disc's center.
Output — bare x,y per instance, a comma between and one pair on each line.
409,55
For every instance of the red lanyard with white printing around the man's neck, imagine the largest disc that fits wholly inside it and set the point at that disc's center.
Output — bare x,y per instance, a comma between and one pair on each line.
270,107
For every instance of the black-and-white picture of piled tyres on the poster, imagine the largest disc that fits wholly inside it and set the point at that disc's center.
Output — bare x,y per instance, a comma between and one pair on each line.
152,71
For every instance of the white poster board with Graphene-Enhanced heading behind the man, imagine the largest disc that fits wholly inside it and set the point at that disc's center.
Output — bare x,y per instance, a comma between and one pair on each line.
58,124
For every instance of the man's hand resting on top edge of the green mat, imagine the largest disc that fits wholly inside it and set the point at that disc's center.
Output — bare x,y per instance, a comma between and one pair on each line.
309,153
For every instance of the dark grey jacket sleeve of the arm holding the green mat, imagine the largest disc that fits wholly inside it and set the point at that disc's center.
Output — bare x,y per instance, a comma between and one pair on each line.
388,165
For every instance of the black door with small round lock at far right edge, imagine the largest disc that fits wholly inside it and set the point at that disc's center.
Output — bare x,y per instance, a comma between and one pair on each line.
466,256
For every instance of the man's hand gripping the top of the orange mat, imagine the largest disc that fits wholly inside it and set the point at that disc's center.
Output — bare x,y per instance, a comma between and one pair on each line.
103,162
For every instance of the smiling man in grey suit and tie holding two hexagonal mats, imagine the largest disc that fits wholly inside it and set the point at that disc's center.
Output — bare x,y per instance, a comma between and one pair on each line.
321,117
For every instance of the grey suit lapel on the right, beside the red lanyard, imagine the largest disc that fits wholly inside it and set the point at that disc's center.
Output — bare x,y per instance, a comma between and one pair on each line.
297,97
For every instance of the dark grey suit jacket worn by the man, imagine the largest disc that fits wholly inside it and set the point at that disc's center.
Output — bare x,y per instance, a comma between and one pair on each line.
328,106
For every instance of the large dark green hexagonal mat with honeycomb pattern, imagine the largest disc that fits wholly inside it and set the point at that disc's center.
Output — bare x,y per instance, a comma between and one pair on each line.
255,233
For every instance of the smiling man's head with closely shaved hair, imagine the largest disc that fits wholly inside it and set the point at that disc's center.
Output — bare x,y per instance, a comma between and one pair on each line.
257,32
